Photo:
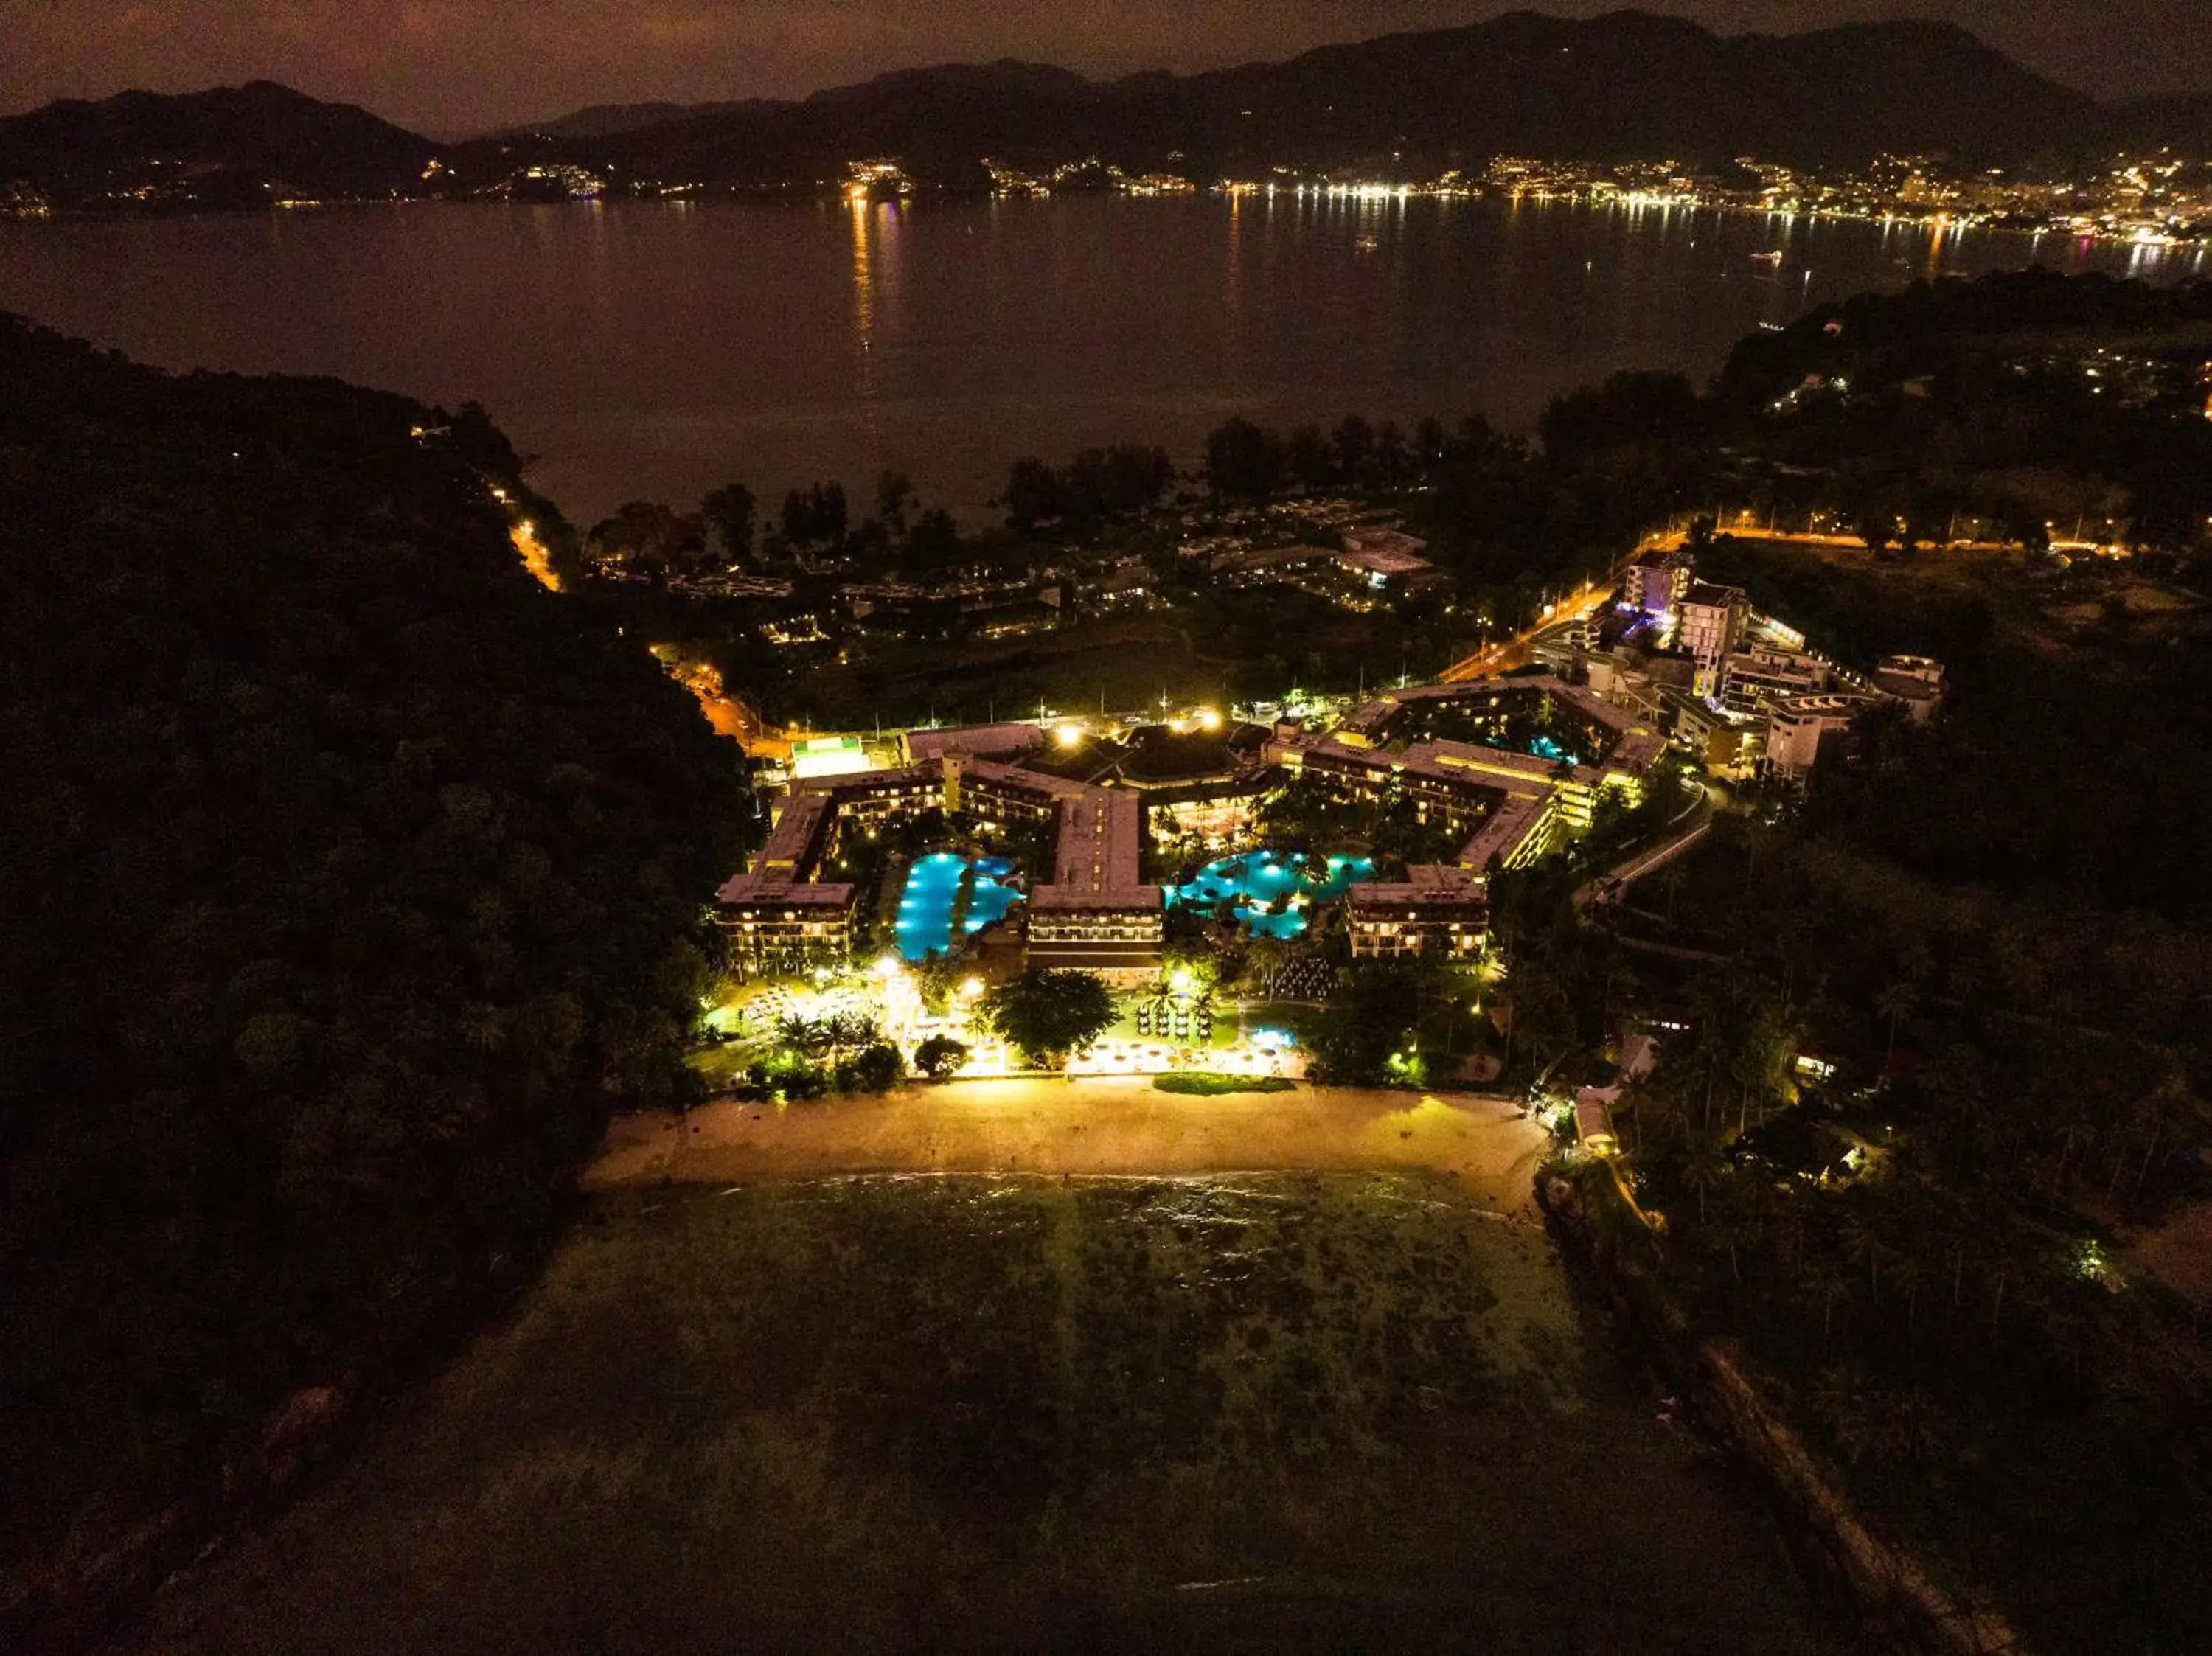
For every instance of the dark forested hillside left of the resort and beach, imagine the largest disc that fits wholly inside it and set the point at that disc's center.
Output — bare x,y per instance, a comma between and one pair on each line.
346,888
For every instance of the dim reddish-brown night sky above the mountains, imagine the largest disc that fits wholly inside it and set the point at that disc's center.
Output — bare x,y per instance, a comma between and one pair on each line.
457,67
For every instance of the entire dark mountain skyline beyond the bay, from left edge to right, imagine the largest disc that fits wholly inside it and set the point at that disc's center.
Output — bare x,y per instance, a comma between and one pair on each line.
1620,87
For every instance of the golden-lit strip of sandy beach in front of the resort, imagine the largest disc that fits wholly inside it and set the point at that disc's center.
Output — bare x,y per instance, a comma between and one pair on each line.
1087,1126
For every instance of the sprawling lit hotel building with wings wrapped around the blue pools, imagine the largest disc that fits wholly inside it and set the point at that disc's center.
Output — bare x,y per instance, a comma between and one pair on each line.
1096,912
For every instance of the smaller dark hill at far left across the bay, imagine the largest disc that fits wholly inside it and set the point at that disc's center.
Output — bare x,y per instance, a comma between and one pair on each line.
225,147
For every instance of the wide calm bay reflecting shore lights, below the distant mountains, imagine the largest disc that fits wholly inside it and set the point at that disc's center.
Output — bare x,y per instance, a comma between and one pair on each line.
660,350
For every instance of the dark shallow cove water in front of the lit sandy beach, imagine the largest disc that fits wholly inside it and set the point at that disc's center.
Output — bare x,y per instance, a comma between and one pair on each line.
999,1414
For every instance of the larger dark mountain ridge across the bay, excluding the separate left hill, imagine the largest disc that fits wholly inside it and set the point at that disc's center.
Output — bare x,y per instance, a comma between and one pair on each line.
1627,85
